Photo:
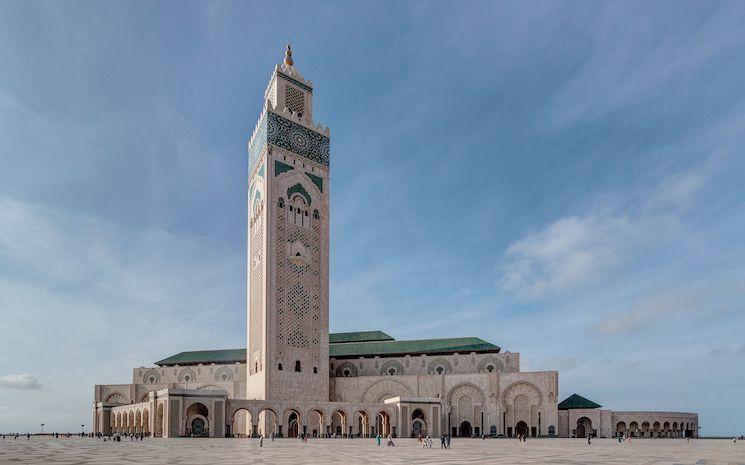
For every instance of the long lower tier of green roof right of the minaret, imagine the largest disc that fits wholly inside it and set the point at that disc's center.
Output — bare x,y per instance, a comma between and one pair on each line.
421,346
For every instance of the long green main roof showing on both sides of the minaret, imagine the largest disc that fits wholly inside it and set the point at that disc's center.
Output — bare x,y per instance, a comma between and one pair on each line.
349,345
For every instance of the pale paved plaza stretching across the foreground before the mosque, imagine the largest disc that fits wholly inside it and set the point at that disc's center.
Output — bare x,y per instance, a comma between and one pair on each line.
364,451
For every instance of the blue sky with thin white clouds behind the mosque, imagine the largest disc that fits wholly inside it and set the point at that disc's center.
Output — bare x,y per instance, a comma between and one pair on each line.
562,179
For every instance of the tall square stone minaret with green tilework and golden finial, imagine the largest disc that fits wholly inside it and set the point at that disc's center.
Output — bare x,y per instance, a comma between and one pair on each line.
288,244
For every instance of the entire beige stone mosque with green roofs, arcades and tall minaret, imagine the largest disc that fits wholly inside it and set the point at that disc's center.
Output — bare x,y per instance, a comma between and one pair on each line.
297,378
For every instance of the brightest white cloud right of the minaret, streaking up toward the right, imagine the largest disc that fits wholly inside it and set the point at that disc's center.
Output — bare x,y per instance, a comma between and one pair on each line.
580,249
